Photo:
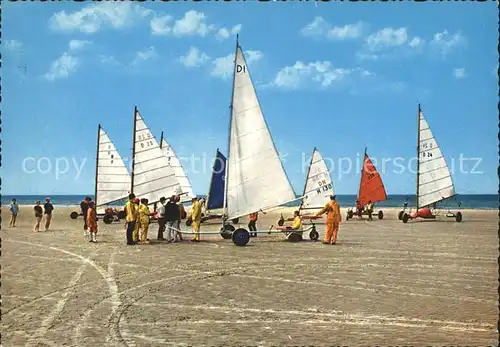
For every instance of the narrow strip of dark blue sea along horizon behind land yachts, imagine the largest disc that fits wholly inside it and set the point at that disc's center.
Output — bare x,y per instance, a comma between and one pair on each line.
479,201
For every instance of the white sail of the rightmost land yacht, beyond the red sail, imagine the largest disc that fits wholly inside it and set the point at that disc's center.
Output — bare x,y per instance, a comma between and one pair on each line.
434,182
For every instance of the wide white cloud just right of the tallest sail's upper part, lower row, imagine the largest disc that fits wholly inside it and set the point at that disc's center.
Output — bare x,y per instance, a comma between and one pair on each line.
320,72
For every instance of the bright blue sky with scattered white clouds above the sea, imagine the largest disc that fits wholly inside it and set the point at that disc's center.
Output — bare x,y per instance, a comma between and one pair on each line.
337,76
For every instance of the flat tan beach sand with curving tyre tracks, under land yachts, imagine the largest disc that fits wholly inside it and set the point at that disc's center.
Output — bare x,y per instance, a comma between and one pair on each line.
385,282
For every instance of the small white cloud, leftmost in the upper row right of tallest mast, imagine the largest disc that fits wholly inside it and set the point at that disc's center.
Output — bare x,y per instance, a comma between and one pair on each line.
319,27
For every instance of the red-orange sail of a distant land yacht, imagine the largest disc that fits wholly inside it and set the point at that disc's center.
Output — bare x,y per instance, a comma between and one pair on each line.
371,187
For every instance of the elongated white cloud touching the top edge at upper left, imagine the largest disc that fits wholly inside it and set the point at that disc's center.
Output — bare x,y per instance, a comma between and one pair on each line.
91,18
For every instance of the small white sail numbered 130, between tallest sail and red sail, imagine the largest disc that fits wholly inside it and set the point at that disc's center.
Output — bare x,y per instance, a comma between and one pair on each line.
319,185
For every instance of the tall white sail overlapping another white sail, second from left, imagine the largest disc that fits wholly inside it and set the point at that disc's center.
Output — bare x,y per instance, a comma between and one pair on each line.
153,176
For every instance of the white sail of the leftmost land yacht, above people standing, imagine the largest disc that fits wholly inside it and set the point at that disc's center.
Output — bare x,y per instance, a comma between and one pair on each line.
113,178
